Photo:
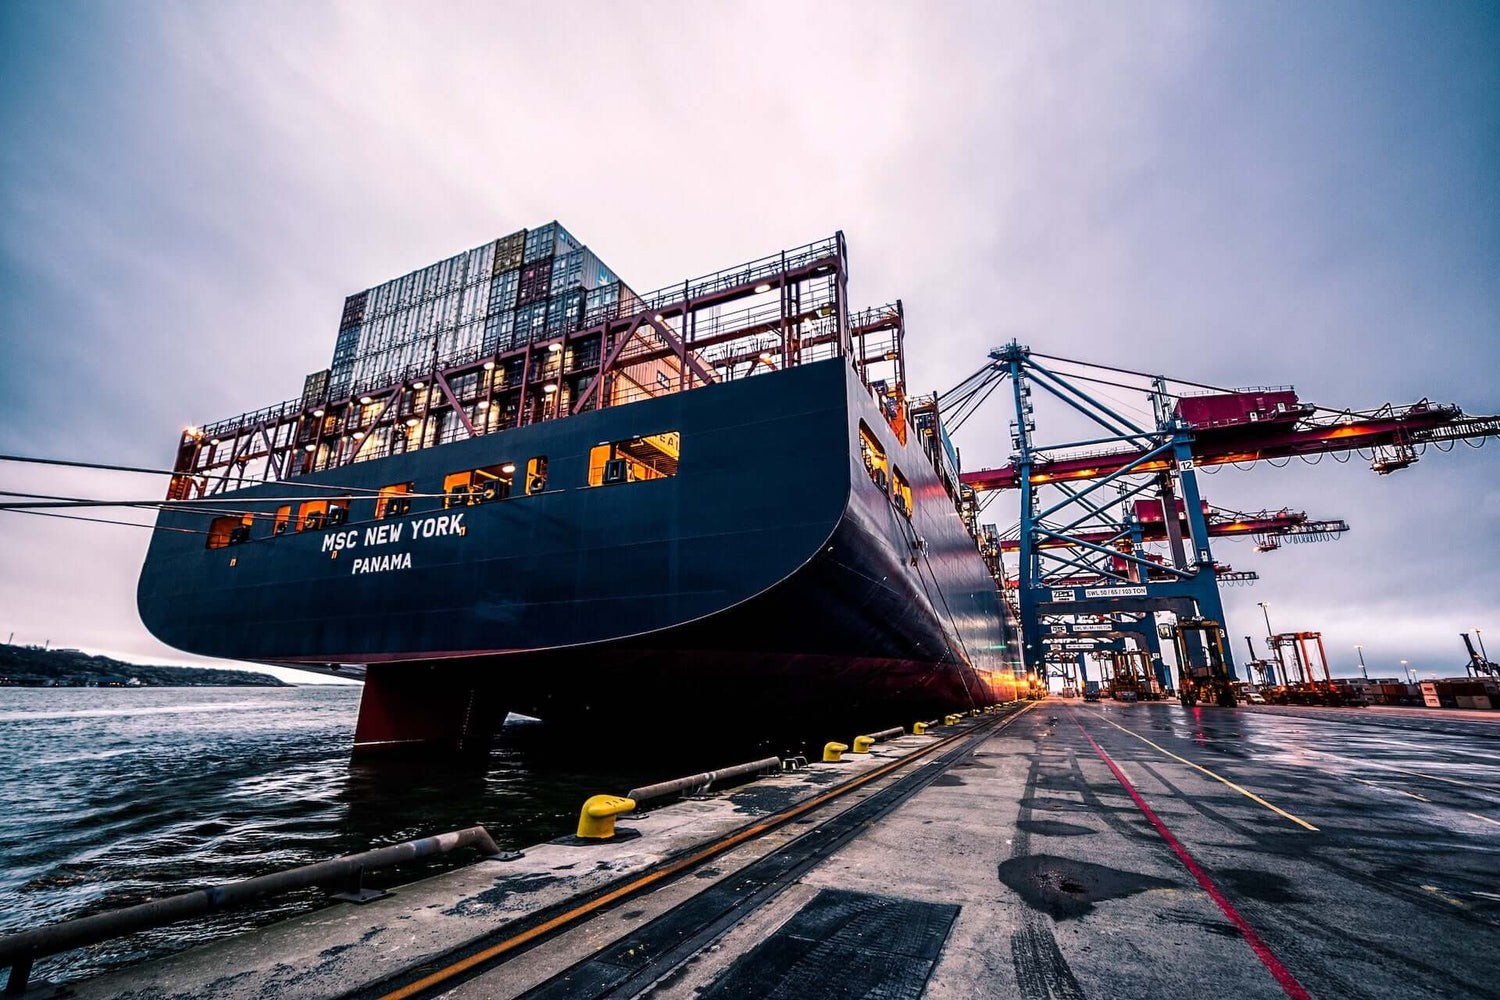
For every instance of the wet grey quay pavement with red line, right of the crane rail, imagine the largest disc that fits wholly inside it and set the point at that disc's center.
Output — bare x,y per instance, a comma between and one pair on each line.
1253,855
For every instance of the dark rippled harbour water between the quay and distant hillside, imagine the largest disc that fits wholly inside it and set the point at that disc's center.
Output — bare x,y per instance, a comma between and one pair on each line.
116,797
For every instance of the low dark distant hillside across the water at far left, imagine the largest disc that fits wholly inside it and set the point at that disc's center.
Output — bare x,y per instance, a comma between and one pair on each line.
37,668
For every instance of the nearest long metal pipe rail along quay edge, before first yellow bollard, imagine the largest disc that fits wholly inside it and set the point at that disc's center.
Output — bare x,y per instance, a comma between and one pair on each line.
20,951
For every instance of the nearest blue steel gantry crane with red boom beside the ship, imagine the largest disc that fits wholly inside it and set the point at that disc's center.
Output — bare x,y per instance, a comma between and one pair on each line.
1079,537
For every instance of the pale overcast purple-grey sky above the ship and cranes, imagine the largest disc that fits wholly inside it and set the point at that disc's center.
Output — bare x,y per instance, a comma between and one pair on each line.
1240,194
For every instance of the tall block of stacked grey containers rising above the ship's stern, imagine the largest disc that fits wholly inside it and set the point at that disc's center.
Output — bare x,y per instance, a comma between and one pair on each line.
526,287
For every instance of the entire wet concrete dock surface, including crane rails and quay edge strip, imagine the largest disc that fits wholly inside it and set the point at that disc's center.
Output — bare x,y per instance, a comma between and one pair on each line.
1064,852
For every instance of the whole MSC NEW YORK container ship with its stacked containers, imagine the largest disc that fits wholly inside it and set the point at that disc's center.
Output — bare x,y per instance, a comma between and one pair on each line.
524,488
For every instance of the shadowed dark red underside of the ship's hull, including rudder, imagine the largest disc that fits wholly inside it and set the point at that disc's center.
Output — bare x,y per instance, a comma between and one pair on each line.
460,705
